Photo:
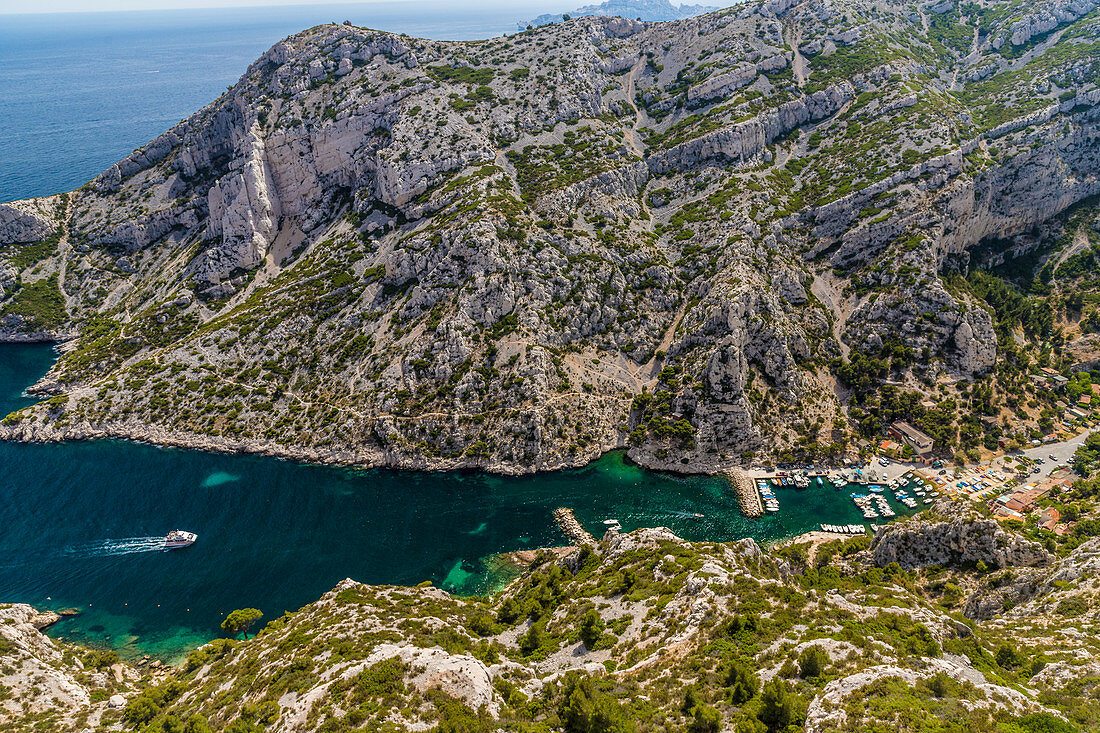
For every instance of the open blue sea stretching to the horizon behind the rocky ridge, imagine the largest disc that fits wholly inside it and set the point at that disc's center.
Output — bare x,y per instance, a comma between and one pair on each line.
79,92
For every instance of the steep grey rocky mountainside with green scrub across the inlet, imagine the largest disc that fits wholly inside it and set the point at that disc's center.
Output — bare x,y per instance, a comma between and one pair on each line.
394,251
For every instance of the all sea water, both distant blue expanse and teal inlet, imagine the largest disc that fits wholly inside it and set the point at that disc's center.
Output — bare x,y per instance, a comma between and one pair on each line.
82,523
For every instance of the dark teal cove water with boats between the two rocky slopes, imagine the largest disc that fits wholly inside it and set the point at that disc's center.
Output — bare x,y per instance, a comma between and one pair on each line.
82,521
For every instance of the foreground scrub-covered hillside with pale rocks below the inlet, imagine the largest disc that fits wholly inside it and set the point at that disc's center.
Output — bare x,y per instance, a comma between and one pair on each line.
644,632
